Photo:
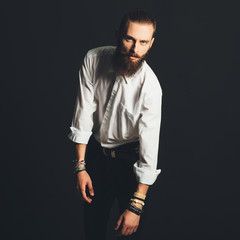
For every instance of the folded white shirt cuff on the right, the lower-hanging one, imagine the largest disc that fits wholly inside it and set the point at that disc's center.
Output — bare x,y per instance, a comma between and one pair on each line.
144,175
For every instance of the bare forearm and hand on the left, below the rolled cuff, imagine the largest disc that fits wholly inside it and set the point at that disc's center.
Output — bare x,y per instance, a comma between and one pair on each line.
83,179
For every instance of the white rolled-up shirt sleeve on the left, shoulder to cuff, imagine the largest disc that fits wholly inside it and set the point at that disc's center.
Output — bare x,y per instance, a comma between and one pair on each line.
82,122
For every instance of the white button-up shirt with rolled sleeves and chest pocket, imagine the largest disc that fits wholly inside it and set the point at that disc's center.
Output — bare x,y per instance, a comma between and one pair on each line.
119,110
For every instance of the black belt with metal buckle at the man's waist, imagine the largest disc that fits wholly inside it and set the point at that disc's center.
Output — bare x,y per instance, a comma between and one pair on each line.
123,149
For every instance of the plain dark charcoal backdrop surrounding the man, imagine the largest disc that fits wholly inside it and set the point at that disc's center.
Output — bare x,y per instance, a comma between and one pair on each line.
196,57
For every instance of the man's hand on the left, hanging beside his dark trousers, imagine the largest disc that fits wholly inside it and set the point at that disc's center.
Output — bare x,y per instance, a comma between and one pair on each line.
83,181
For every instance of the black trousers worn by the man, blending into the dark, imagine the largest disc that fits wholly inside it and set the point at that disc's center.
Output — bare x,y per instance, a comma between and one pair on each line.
112,178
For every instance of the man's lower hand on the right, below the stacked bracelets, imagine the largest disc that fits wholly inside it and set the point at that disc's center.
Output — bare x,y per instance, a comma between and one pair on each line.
129,221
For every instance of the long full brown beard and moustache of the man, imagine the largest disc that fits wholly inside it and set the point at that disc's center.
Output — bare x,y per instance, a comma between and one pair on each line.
124,66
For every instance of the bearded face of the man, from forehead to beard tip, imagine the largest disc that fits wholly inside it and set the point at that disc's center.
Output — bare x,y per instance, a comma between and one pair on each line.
133,47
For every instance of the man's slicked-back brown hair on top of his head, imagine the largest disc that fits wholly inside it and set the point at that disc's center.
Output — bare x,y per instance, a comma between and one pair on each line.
139,16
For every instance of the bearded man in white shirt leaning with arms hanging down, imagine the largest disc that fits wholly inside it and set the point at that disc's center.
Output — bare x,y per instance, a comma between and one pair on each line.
119,102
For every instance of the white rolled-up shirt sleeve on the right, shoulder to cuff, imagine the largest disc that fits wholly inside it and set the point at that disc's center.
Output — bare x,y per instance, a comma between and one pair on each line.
149,129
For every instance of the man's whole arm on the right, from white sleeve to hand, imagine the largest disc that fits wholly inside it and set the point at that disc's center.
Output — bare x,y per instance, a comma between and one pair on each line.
145,167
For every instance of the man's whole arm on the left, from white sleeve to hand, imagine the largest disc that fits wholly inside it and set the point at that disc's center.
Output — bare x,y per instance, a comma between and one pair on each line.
82,122
